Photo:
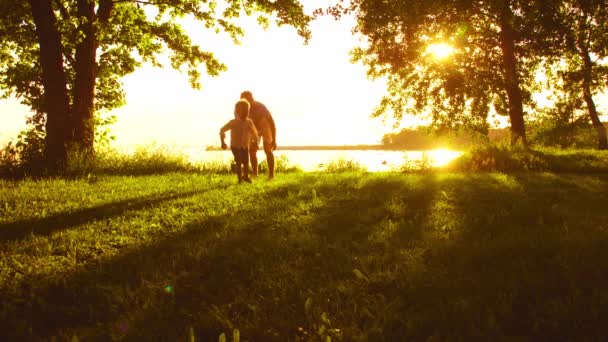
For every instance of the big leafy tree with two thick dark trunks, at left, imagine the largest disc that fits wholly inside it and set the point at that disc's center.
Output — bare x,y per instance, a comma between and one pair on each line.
65,58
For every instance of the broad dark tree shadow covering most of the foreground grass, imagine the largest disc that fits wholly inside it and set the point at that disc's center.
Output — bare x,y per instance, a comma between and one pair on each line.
405,258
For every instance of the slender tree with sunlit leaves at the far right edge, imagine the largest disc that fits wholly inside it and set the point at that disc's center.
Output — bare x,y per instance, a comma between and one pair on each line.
576,73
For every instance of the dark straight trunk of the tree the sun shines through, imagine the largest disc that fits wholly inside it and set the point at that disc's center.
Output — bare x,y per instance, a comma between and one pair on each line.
507,44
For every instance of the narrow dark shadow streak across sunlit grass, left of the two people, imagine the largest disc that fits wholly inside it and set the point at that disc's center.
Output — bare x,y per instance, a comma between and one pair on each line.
45,226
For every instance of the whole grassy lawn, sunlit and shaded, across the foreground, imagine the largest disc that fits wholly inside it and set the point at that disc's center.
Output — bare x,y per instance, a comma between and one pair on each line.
351,256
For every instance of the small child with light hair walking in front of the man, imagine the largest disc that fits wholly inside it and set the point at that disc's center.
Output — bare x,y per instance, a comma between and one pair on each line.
242,131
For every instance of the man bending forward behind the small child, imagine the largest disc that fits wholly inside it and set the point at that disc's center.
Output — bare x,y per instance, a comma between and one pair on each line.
267,132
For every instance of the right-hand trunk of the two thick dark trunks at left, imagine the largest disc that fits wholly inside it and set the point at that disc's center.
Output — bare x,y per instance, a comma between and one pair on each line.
83,113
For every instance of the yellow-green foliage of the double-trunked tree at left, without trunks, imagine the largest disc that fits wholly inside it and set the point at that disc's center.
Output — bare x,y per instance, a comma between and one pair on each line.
135,32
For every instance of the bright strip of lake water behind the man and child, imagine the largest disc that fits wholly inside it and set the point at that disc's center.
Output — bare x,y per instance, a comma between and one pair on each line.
317,160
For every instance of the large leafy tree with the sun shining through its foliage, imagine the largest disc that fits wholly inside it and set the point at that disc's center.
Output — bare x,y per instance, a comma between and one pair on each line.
496,52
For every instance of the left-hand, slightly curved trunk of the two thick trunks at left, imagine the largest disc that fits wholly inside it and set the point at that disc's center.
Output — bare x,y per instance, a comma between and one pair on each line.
56,99
